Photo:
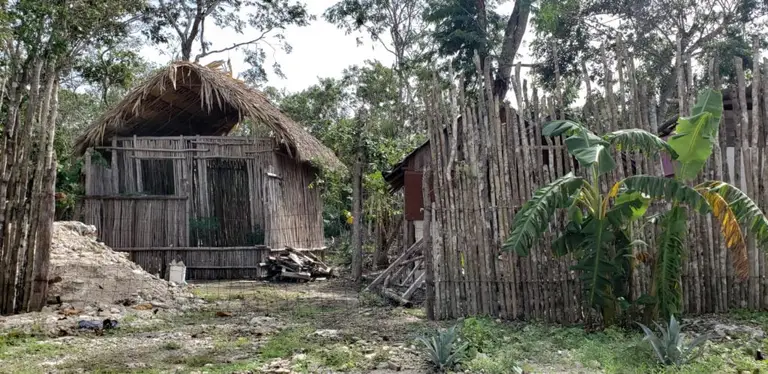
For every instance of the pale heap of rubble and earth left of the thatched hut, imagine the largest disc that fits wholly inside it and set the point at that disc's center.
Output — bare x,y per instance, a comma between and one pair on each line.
91,282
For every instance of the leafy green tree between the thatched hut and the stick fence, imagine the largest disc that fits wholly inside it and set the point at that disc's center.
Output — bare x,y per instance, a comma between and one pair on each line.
328,110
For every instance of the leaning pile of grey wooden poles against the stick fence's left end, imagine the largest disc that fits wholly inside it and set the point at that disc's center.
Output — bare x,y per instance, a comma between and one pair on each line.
403,277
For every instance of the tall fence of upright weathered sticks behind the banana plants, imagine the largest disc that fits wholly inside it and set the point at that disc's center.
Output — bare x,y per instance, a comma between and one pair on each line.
494,157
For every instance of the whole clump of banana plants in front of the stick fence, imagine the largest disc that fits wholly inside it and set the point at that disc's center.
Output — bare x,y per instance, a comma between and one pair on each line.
597,232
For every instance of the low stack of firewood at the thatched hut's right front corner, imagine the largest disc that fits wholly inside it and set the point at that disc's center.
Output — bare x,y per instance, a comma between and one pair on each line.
295,265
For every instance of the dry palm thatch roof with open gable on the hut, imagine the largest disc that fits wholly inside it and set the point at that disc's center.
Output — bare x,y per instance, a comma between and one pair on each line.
186,98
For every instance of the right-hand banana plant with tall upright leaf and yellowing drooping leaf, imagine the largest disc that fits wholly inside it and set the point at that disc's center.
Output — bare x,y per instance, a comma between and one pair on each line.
691,146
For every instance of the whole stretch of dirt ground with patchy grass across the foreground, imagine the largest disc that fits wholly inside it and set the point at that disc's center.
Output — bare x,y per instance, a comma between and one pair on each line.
328,327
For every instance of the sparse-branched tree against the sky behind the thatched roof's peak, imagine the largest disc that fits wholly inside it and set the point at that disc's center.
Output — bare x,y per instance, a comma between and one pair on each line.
260,22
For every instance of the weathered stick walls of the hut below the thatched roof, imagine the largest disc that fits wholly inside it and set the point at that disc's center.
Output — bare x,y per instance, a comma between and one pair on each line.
212,192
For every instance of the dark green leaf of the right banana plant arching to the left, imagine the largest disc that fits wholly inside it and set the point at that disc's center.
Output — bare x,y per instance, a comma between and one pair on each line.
668,189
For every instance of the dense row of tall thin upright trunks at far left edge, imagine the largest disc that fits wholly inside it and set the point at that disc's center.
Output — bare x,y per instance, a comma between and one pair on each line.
28,172
